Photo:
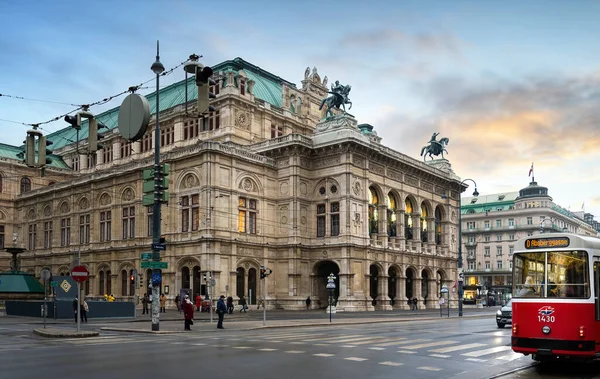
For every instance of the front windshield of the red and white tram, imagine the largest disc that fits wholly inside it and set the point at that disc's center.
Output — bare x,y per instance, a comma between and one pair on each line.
551,274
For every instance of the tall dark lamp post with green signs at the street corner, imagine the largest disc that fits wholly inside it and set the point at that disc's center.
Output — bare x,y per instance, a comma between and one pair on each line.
158,68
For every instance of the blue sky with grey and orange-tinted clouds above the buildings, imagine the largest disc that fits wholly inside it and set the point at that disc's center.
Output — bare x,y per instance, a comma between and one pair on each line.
510,83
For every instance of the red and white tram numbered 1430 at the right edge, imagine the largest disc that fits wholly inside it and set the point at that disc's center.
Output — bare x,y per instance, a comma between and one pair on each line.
556,287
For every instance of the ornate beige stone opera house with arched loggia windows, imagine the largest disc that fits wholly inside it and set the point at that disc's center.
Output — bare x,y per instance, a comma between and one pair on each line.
259,182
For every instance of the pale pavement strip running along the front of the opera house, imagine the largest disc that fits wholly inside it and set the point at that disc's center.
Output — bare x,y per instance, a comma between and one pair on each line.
172,322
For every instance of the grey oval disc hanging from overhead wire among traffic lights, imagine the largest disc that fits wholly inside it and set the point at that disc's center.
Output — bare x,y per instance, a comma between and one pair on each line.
134,116
